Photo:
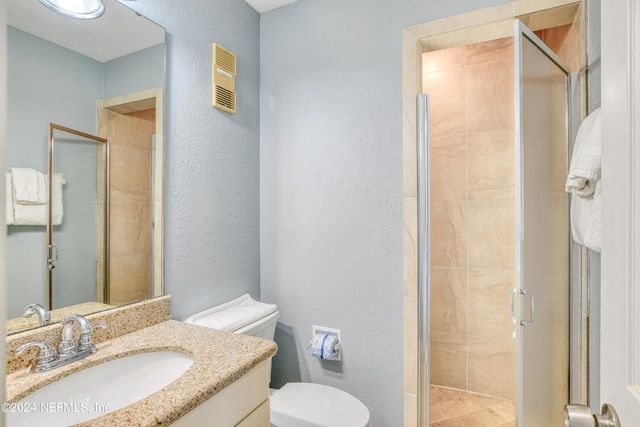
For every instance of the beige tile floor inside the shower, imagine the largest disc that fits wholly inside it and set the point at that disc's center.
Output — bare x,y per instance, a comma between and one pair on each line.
456,408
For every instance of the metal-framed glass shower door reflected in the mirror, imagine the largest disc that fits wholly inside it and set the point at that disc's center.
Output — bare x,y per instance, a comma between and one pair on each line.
78,234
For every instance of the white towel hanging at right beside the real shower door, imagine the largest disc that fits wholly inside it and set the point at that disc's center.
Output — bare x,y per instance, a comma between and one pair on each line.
583,182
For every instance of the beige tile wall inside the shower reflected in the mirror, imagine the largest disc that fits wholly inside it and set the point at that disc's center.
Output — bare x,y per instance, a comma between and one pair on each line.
130,136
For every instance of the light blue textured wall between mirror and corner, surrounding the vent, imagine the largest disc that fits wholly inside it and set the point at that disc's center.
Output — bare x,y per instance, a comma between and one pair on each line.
211,199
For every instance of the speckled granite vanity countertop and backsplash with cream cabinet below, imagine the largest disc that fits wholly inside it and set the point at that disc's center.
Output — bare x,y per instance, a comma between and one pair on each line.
226,385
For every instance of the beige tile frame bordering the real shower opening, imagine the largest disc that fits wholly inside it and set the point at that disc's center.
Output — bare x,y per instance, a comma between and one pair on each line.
472,27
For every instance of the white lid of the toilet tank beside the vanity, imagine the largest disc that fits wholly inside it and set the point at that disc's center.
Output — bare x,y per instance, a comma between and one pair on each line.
243,315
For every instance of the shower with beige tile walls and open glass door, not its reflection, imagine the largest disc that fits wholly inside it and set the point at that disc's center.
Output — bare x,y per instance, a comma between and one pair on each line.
493,233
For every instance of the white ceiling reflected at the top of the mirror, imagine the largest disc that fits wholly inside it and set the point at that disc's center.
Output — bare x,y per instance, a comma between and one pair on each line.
120,31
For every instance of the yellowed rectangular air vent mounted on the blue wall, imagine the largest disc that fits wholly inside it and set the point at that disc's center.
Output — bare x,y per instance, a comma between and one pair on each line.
224,79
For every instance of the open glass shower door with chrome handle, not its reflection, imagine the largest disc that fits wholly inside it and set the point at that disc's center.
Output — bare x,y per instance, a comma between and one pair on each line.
541,297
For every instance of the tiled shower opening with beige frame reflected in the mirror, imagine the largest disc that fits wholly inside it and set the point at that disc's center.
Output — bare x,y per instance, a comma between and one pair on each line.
133,126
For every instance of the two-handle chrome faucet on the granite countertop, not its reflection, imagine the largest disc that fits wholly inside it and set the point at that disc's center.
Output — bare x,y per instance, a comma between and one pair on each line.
68,350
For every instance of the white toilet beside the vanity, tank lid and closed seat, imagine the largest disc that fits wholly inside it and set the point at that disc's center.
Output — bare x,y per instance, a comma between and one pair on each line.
295,404
